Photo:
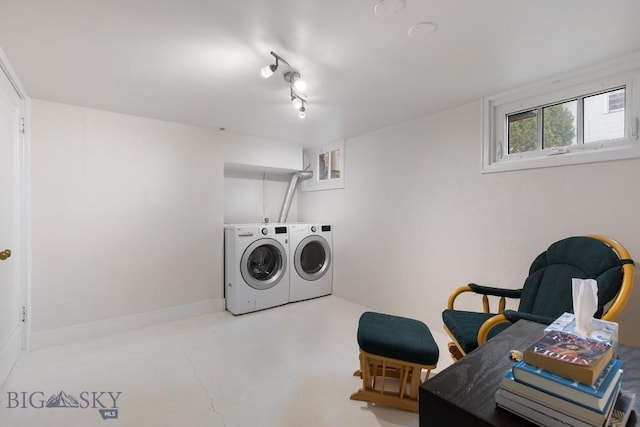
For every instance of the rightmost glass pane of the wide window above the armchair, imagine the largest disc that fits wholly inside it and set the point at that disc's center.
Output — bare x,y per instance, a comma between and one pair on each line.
601,121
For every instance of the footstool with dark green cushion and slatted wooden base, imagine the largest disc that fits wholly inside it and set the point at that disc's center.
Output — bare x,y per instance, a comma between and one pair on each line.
393,352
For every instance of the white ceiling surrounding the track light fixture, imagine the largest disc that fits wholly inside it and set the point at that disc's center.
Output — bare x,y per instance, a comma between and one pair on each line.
198,62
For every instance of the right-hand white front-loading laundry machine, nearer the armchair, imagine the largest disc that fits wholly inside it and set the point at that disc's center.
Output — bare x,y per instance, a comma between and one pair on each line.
311,260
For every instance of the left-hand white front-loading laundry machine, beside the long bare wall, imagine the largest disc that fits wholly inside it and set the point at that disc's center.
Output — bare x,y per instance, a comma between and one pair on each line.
256,274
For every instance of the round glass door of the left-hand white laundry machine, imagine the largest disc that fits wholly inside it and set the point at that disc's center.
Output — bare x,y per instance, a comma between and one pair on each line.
263,264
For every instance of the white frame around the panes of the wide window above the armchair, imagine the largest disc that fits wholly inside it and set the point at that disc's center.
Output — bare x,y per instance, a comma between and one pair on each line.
570,86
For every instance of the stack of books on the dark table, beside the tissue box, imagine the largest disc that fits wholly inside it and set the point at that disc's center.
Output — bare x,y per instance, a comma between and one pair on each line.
567,380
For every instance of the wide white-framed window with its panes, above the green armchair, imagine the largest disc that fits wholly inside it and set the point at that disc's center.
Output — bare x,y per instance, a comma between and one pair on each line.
577,118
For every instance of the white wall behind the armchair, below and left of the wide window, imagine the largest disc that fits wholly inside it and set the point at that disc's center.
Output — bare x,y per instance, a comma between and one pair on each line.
416,218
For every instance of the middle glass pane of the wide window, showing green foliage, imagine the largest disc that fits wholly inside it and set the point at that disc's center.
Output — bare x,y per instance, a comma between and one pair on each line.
559,124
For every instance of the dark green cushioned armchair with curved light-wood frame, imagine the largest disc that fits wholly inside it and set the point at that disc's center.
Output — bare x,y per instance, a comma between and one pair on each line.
546,292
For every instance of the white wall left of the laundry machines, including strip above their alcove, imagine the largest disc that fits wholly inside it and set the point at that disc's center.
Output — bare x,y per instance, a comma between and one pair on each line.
127,212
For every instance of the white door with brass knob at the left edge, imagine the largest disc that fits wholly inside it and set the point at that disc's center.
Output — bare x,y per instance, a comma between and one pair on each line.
11,263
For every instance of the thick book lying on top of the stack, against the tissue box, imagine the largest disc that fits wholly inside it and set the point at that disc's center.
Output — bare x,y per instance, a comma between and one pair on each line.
571,356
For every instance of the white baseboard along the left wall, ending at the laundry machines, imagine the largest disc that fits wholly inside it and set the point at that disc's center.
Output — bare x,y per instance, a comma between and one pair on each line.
47,338
